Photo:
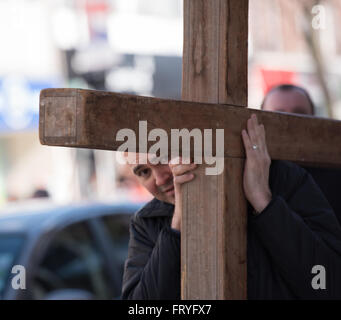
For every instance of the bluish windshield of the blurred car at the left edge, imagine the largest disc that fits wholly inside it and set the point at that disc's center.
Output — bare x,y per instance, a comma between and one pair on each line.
10,245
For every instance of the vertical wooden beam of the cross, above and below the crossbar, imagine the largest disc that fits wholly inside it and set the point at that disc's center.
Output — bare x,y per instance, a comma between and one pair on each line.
213,240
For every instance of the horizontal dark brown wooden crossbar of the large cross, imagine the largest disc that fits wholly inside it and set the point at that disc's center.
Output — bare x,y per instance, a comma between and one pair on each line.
91,119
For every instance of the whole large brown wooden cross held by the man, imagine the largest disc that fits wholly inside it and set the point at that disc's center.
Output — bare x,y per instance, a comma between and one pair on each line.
215,59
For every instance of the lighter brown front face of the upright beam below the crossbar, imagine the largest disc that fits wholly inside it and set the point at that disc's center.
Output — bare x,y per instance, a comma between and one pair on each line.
202,237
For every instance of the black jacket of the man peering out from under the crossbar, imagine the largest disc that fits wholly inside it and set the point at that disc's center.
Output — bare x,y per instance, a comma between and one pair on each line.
295,232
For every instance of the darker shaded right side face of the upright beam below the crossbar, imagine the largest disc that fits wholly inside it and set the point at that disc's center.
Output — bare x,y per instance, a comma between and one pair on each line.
232,233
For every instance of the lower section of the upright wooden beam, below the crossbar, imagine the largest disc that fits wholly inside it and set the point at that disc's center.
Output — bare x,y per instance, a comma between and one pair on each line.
214,235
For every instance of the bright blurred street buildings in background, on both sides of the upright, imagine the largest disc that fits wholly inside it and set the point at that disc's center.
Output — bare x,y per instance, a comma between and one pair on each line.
135,46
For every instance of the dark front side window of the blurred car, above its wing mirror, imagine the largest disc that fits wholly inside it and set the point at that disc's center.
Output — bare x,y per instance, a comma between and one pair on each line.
72,261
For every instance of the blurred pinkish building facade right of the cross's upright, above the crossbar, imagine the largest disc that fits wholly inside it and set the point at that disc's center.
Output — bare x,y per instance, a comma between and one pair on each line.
296,41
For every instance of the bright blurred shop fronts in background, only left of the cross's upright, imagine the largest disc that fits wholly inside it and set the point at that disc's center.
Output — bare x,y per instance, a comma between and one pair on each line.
85,44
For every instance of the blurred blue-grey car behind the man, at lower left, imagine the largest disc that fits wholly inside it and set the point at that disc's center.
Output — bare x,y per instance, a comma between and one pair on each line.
69,252
